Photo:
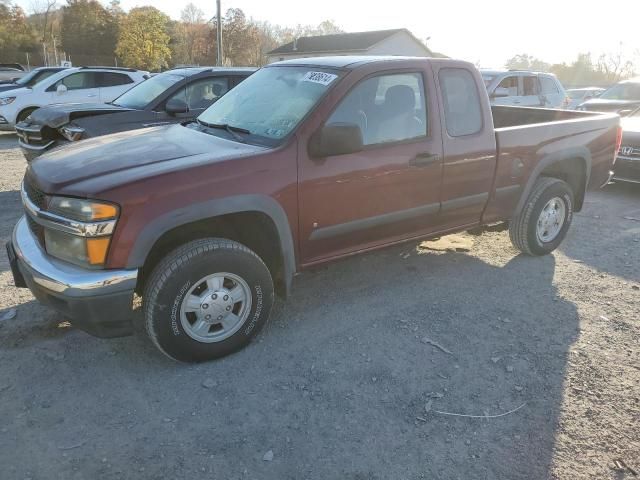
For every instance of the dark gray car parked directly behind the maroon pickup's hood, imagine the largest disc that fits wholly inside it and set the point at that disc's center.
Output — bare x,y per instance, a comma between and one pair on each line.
173,96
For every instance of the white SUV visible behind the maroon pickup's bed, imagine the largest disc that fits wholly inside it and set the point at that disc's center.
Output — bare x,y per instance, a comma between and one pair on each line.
524,89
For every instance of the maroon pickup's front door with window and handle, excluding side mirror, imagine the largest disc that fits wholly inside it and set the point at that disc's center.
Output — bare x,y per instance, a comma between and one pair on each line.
390,190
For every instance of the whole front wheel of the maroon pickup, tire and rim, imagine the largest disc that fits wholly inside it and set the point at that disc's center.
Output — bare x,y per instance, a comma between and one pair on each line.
207,299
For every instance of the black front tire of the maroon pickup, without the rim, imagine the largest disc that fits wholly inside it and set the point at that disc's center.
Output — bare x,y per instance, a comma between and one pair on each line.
171,280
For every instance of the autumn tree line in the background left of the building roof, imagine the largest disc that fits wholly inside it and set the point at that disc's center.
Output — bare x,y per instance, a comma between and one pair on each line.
88,33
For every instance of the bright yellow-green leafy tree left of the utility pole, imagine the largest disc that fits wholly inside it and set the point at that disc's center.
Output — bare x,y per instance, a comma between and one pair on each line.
144,42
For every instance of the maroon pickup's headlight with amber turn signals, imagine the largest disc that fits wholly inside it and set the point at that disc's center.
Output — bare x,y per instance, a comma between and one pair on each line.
88,249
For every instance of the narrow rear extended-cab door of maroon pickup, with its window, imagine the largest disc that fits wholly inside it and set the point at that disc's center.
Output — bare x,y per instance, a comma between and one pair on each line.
469,144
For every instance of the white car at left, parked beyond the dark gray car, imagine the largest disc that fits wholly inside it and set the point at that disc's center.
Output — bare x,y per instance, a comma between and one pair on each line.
73,85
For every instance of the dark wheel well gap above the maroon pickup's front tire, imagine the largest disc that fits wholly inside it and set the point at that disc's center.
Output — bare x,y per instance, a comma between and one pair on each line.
254,229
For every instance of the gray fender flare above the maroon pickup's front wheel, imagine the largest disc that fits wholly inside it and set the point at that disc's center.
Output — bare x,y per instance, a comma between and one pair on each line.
159,226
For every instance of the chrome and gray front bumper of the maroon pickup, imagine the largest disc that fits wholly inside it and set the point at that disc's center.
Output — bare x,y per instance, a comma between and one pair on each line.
96,301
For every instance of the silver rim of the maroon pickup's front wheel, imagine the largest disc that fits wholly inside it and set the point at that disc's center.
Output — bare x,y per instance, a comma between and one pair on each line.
215,307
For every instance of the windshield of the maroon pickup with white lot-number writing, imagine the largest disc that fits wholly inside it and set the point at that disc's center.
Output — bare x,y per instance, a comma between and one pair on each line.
271,102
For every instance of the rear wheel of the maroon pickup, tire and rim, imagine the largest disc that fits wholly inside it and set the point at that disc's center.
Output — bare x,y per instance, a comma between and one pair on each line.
545,219
